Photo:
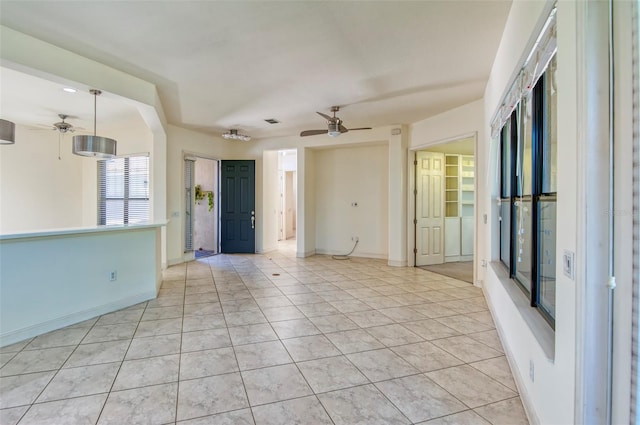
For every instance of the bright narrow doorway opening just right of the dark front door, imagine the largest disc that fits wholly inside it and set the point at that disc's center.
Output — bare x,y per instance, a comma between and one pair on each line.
287,205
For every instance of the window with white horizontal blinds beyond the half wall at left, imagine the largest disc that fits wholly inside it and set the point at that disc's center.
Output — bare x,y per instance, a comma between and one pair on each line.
123,190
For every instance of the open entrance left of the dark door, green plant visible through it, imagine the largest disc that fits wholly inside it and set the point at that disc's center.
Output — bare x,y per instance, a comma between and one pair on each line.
202,207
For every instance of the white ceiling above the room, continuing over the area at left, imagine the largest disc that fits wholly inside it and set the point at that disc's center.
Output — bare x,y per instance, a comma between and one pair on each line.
232,64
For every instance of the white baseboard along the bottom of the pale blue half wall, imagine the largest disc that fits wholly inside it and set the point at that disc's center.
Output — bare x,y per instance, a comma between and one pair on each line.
18,335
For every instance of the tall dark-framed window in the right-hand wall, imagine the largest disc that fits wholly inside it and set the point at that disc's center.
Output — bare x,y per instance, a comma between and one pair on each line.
528,195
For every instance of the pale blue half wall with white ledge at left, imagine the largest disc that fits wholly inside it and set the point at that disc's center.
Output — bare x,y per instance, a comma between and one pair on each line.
72,280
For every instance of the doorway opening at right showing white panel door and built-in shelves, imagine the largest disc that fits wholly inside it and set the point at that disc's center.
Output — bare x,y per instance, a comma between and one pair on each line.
445,208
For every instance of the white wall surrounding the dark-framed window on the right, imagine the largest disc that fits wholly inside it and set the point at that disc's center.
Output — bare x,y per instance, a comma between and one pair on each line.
550,397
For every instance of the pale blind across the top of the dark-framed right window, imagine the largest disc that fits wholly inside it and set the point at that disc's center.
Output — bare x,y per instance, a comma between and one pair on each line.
533,67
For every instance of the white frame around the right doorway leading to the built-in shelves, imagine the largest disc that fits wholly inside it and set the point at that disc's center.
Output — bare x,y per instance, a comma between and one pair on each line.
411,210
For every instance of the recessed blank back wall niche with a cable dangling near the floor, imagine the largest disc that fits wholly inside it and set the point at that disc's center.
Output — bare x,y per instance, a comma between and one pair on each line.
344,176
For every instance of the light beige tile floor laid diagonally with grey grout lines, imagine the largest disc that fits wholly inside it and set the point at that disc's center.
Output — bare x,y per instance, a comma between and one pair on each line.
271,339
